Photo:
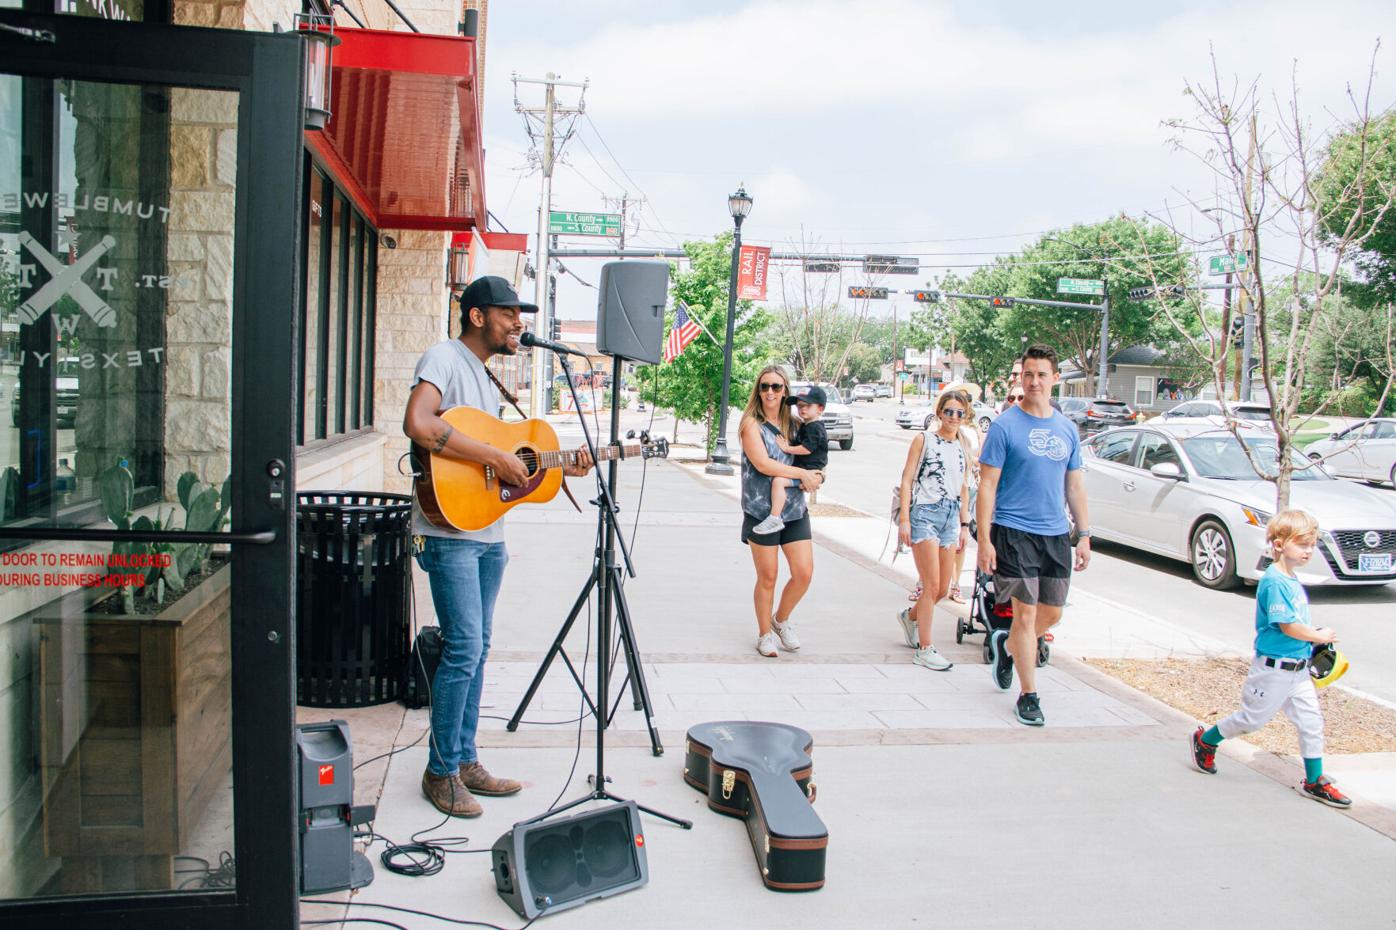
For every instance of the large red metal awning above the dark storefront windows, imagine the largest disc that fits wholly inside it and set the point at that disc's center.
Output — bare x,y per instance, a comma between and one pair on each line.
404,138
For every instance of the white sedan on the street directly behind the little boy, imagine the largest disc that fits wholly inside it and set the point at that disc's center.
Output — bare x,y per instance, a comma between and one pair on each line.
1187,491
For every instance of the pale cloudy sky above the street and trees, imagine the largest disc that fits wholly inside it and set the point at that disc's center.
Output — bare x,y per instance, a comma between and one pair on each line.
946,131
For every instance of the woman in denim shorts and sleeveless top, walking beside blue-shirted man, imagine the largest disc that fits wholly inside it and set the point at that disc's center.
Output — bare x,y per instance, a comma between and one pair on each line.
935,519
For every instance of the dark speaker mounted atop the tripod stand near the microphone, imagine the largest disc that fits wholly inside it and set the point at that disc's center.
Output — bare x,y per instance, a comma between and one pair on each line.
630,309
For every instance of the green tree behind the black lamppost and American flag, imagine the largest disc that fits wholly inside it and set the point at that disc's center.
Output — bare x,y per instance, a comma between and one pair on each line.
692,385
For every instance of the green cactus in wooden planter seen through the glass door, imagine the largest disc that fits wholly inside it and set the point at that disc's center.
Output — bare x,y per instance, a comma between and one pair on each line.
206,510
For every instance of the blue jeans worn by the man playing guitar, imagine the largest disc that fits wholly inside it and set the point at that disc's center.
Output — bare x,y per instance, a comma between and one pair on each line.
466,580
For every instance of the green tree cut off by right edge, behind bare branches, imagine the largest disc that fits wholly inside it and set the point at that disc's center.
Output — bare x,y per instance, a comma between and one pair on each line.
1355,191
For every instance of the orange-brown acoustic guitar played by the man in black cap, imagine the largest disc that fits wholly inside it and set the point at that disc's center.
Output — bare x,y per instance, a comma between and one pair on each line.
463,495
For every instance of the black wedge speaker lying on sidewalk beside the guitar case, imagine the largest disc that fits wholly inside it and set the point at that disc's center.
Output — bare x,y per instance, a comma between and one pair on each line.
554,865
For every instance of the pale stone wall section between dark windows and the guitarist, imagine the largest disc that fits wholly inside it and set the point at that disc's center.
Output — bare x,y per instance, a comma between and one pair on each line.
413,318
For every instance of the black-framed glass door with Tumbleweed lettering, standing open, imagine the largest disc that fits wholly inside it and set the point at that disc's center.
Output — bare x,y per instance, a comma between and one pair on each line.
144,563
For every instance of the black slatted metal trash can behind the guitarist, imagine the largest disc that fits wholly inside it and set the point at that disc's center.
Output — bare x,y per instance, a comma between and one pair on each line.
352,597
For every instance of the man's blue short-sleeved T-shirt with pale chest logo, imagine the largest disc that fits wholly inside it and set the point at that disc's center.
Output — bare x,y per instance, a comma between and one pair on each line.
1035,453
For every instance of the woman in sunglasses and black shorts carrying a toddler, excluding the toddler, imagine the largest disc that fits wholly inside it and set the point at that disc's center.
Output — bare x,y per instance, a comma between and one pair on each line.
767,417
